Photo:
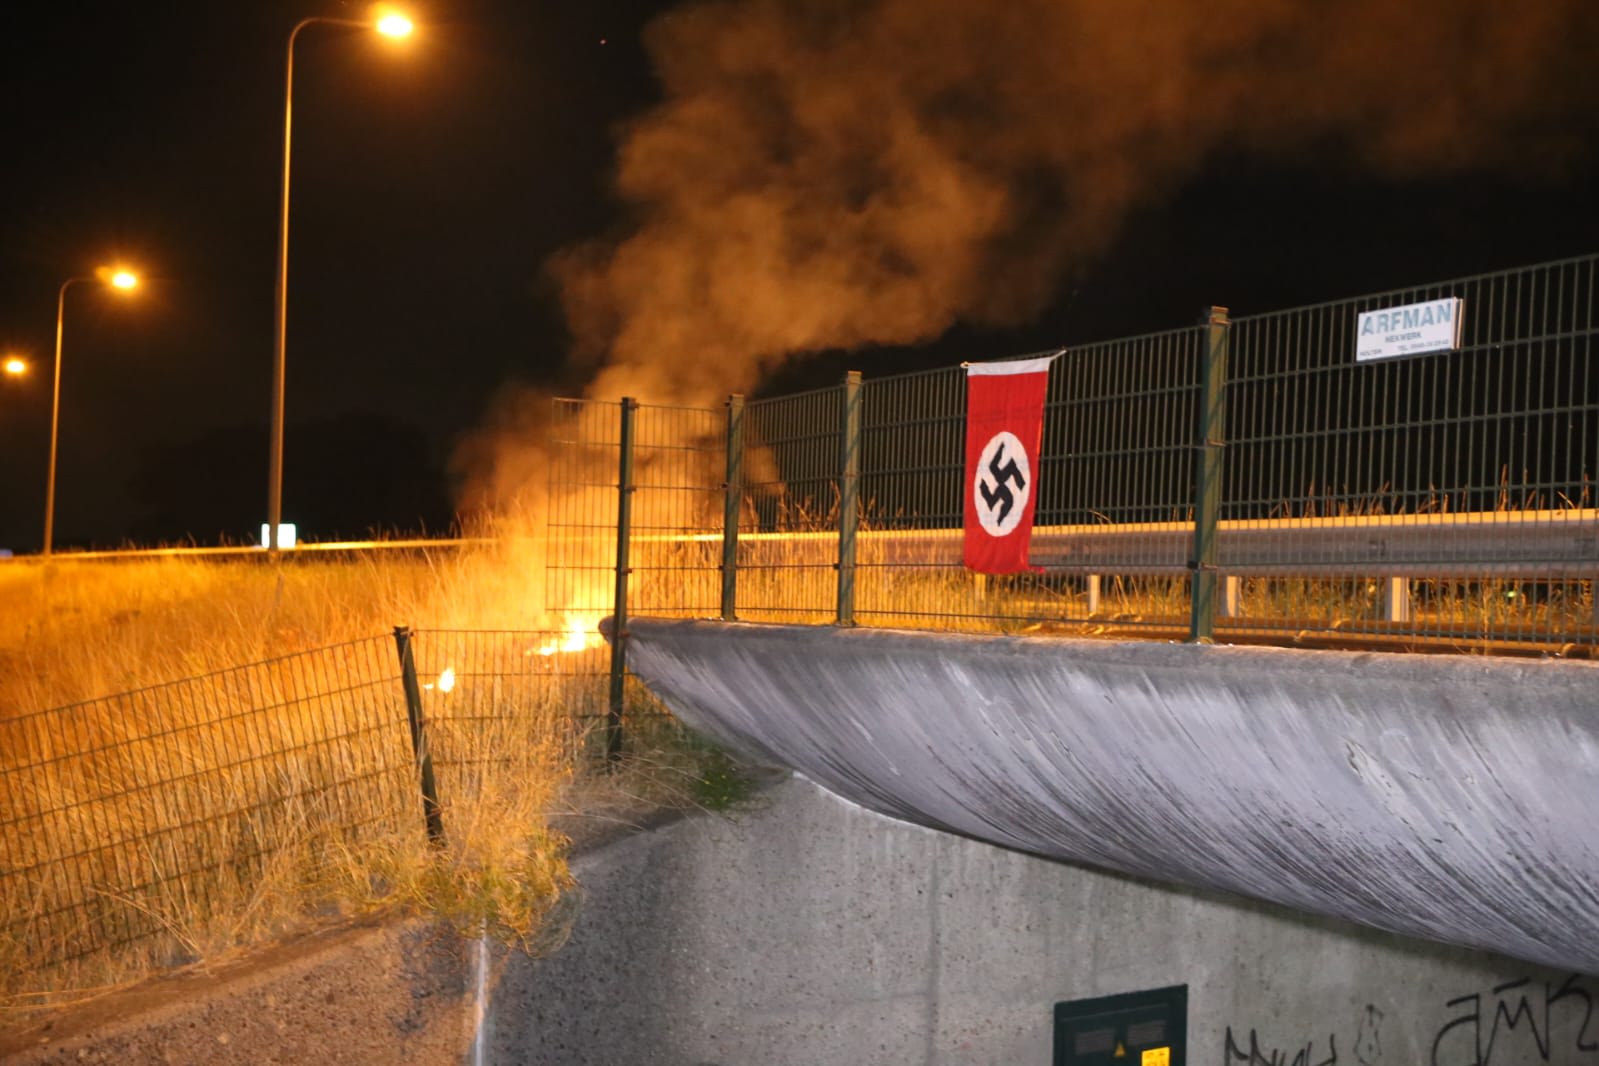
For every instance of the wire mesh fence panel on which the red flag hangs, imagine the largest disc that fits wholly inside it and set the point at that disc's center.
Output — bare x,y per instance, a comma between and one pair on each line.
1114,471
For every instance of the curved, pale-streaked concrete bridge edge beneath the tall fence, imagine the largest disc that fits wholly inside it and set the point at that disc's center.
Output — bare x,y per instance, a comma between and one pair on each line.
1446,798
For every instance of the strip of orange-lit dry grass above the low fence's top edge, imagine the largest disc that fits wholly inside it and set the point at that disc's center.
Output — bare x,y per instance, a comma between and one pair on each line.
73,632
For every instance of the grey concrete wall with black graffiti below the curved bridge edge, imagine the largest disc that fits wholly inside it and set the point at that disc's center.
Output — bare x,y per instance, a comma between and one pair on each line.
810,931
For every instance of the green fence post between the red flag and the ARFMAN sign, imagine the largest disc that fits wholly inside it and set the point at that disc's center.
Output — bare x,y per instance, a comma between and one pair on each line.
1208,477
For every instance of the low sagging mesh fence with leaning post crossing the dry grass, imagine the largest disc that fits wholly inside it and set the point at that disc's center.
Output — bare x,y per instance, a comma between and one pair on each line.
140,825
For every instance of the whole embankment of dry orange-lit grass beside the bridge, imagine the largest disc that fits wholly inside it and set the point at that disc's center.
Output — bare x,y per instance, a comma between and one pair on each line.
244,805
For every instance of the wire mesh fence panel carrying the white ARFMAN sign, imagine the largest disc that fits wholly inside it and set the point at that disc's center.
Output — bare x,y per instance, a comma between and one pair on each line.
1440,496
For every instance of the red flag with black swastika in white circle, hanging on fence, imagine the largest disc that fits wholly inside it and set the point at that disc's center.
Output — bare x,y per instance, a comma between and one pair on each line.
1005,424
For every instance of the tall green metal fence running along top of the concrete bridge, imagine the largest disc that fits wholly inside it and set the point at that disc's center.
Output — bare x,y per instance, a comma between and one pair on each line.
1245,479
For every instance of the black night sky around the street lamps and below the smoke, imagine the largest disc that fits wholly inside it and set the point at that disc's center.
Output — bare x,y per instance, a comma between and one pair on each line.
433,181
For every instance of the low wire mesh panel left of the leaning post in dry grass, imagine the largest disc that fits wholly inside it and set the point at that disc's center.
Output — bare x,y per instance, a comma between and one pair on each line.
140,814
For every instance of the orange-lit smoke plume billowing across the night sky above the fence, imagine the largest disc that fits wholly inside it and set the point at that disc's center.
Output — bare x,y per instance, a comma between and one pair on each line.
843,173
